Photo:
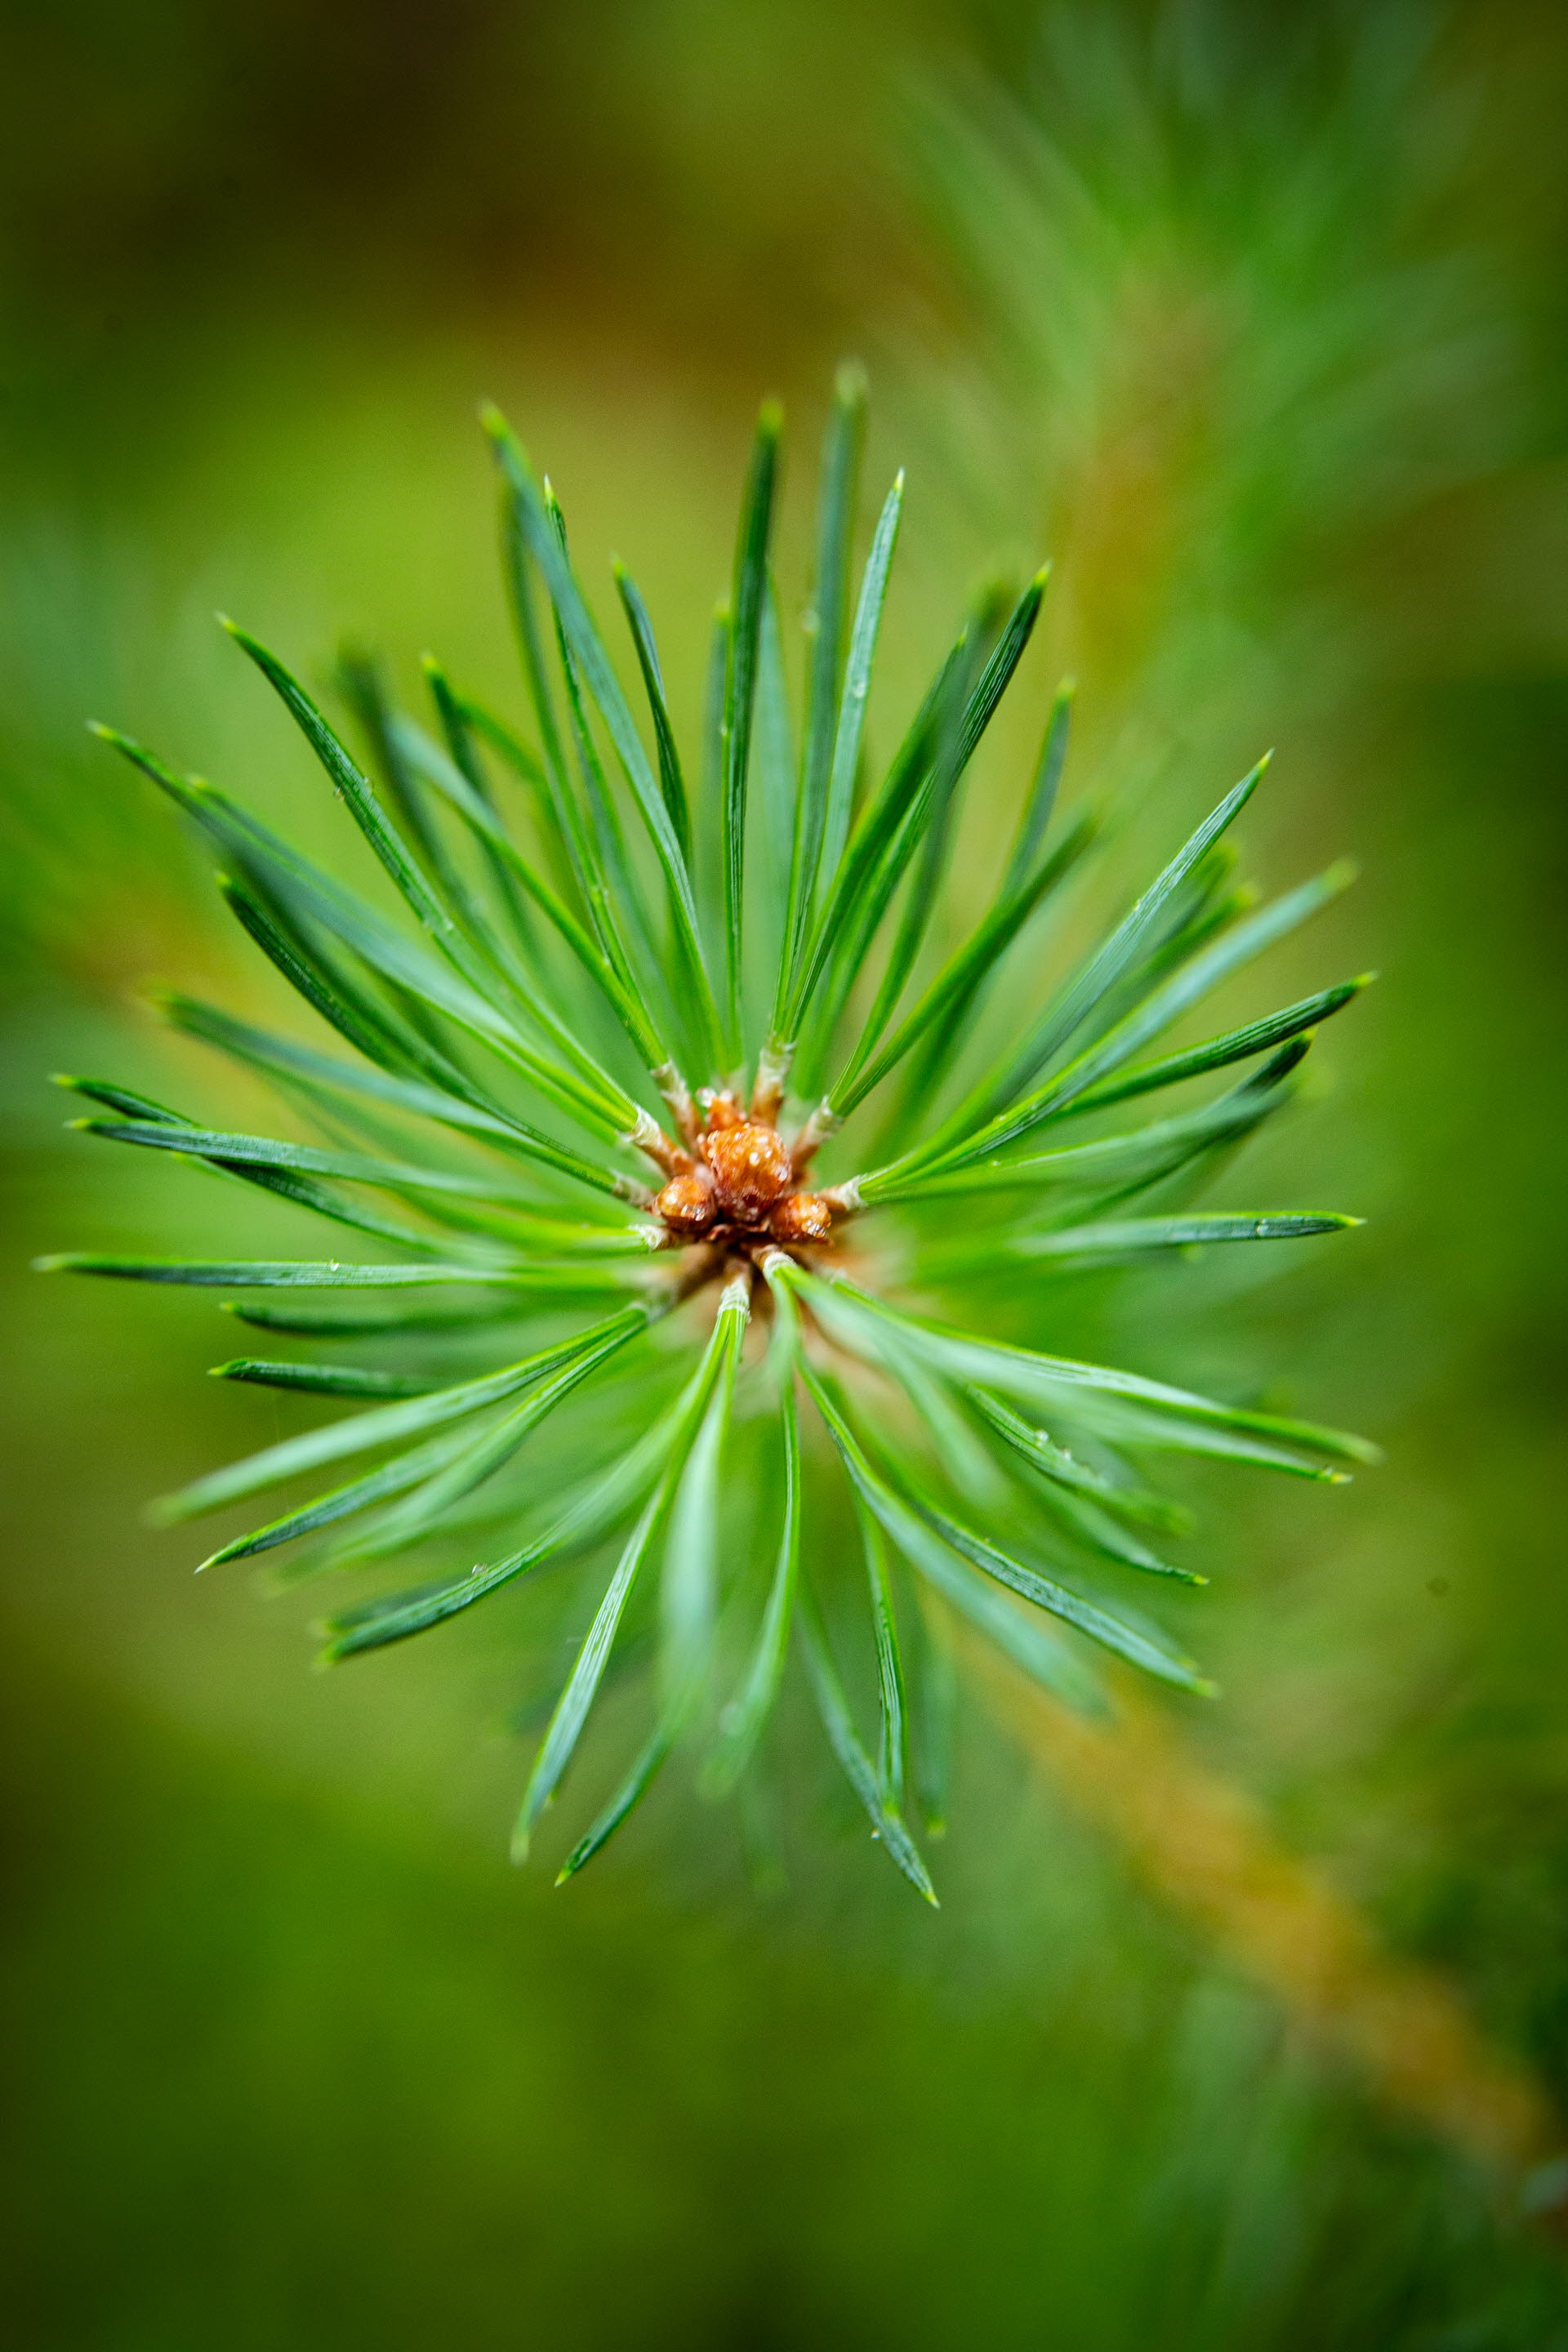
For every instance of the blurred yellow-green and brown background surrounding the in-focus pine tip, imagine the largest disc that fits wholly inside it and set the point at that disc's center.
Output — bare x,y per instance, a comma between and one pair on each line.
1252,321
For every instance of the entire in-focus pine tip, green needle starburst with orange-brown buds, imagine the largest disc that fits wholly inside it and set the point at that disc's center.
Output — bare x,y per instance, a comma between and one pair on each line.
572,1109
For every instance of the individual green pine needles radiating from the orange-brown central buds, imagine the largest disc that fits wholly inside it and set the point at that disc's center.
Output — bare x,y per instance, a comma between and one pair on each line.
514,1241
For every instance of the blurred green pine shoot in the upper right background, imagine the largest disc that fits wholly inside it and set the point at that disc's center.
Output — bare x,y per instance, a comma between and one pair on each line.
1247,338
